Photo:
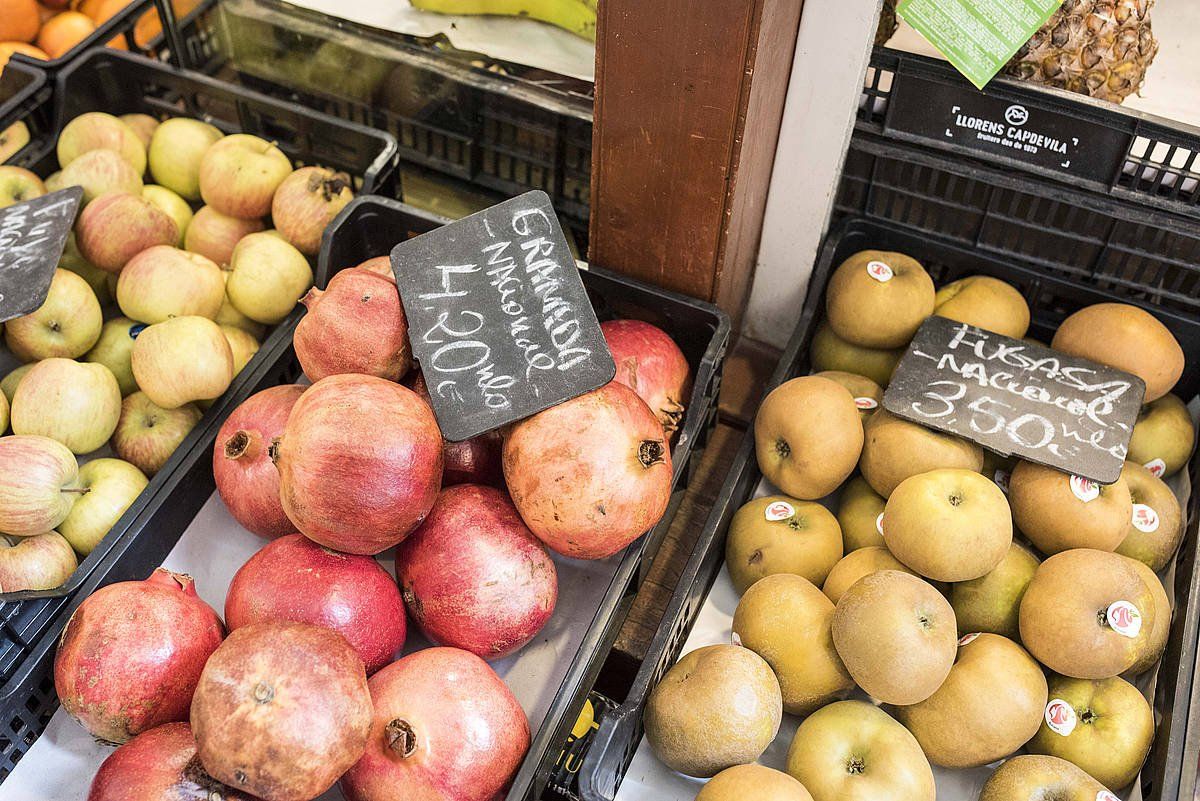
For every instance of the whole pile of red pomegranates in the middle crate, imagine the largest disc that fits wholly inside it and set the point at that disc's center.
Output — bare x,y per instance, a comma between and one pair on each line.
305,689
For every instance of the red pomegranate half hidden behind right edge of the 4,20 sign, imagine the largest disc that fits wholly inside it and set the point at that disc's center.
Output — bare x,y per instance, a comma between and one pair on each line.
651,364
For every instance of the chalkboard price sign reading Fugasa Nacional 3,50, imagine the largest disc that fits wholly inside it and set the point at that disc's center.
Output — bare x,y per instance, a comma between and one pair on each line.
1015,398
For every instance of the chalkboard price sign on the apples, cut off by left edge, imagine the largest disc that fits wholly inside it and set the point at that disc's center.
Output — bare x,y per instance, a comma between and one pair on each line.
33,236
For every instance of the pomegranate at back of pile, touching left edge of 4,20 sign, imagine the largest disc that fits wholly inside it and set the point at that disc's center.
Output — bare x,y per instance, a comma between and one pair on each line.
356,326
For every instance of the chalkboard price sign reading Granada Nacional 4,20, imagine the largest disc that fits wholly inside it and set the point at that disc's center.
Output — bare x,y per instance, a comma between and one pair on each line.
499,317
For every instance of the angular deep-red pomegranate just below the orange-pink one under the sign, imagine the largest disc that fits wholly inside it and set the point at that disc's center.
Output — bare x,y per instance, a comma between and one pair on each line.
475,577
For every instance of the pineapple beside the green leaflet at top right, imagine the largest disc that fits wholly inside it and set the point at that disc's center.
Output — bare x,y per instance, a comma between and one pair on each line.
1100,49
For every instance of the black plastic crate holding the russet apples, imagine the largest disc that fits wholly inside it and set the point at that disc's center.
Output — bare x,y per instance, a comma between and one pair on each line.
1171,772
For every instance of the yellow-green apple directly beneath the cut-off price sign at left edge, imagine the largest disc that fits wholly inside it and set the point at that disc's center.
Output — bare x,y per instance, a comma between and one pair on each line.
67,324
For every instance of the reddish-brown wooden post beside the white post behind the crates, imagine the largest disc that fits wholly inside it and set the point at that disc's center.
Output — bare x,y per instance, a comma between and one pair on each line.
675,91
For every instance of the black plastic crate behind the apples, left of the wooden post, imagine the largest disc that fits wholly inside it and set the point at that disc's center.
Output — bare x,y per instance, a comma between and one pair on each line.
497,125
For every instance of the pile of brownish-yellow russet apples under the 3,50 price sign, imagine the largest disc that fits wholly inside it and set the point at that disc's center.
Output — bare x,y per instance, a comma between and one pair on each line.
991,609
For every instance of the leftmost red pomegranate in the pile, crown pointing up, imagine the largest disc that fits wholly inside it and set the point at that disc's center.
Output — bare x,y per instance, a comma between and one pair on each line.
133,653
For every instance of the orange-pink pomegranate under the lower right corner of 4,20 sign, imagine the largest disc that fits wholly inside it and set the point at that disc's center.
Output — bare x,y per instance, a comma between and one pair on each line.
590,475
